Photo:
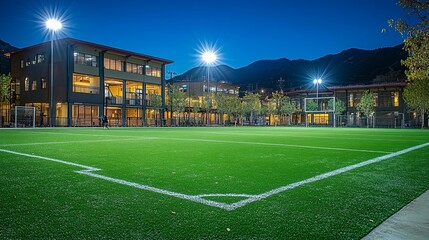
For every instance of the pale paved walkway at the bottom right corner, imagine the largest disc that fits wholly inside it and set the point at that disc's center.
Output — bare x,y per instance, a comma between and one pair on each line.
411,222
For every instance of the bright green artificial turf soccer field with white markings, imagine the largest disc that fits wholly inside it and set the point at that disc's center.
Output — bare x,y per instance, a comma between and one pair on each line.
206,183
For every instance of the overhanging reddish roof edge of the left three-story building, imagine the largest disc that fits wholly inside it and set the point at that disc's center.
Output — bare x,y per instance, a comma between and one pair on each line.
102,48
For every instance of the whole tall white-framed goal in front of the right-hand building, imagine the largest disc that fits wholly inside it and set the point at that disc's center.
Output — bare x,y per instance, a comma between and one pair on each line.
319,109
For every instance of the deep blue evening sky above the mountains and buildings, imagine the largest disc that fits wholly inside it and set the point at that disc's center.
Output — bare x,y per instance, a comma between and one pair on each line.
242,31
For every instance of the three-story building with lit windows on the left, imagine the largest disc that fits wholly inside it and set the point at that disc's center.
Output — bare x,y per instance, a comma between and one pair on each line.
90,80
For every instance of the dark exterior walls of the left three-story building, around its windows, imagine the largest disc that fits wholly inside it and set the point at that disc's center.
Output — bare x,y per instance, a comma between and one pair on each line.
84,105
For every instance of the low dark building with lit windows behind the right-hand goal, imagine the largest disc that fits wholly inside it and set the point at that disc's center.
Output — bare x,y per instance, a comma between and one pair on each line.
390,108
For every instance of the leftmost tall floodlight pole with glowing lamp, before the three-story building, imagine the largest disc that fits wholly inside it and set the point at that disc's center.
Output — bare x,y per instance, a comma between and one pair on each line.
53,25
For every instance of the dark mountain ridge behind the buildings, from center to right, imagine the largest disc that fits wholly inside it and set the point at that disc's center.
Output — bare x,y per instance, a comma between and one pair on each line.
349,67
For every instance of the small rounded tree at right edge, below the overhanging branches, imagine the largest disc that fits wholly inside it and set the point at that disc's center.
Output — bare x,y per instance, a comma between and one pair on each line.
416,94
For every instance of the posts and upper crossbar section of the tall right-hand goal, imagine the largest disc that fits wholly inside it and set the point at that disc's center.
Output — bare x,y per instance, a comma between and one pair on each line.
319,105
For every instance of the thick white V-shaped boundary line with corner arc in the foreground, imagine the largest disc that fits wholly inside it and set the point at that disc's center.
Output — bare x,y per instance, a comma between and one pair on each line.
200,198
